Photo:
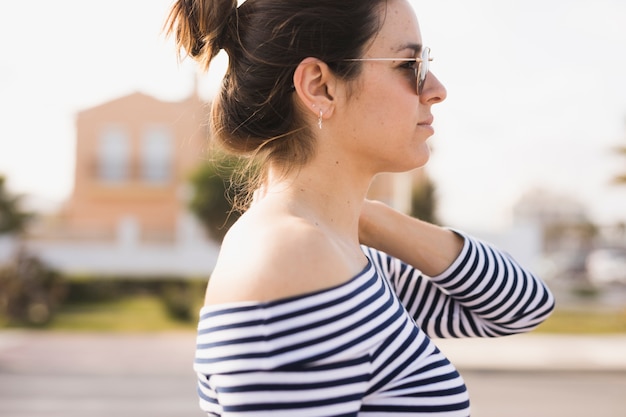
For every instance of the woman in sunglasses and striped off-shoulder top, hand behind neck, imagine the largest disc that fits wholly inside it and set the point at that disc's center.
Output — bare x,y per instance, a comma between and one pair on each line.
323,303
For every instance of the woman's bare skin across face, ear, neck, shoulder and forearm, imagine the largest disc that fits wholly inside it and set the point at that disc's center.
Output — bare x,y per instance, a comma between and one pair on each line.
304,231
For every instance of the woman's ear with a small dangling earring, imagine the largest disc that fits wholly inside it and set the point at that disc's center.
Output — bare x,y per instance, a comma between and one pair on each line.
315,86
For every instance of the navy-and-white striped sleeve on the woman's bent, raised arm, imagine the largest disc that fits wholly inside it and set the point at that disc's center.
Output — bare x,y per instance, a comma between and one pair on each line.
484,293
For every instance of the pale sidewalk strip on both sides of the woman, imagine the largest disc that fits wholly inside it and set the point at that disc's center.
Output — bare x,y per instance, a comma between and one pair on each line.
172,353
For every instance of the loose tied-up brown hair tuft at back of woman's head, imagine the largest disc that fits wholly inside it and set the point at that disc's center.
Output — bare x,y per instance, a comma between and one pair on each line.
201,27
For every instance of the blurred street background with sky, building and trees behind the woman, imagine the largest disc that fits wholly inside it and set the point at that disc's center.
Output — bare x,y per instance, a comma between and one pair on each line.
111,215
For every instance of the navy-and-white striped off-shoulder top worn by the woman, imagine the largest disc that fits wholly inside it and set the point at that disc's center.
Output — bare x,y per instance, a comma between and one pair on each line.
363,348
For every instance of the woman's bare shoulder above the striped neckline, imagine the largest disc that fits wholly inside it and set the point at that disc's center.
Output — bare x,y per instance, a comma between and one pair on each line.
267,256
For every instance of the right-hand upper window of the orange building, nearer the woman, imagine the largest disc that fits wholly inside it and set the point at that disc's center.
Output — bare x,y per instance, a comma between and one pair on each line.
156,155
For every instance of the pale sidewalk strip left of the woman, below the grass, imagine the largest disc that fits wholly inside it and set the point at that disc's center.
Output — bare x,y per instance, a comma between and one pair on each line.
115,354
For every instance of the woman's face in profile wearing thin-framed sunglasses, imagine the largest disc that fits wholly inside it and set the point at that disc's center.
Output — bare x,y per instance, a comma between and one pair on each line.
384,120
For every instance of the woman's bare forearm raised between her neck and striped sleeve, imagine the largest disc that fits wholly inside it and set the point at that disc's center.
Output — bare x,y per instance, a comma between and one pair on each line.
425,246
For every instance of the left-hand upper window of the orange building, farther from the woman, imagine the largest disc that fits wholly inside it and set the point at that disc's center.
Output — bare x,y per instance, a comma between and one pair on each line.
113,155
